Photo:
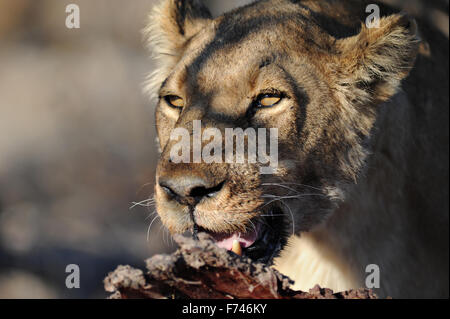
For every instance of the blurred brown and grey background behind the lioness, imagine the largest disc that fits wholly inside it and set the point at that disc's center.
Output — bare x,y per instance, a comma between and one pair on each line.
77,142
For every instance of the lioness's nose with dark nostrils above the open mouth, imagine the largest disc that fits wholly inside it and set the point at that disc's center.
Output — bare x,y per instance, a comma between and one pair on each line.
189,190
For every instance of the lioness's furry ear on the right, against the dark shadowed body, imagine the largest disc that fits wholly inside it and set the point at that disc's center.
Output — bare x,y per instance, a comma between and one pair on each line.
372,64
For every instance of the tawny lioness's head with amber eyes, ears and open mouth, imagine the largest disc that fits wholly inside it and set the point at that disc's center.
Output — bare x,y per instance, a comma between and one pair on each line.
268,65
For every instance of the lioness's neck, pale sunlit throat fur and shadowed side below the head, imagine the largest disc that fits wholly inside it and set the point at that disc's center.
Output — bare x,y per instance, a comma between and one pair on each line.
375,225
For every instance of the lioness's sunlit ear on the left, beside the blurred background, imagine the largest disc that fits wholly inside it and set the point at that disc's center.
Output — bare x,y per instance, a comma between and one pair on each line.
171,24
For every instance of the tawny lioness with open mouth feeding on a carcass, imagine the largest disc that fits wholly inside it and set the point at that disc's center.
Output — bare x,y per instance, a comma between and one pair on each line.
362,118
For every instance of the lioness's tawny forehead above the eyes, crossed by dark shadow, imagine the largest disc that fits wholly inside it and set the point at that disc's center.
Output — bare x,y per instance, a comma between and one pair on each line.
226,59
